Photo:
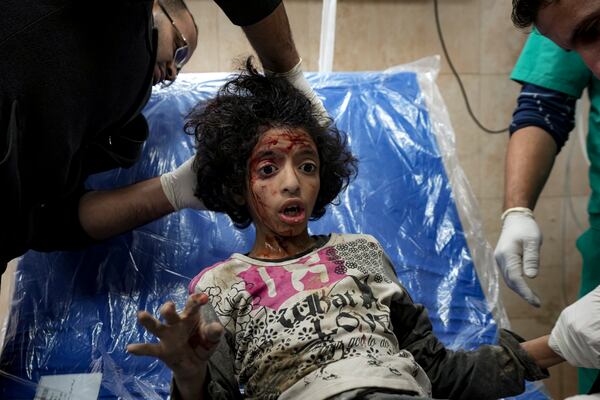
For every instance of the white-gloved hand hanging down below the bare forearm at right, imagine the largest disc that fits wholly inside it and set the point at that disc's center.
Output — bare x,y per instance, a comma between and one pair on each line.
518,251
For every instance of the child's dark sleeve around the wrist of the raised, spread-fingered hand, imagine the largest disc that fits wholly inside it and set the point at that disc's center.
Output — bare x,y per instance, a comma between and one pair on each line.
222,384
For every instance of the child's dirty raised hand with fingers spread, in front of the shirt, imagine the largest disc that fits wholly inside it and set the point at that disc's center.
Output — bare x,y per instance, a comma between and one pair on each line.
187,340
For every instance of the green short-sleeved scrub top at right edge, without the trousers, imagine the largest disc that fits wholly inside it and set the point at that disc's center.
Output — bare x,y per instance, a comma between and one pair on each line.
545,64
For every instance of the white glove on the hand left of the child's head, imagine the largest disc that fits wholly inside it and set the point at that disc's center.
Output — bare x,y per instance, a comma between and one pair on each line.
179,186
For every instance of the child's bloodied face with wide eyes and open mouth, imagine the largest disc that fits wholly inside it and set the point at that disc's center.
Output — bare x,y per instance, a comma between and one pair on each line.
283,184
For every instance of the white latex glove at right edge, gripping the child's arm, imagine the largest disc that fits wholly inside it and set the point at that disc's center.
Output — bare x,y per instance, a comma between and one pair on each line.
576,335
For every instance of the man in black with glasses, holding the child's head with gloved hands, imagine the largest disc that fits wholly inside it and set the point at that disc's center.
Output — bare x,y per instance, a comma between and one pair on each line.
74,79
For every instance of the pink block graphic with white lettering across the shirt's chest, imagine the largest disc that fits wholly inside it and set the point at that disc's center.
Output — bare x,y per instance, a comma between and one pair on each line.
271,286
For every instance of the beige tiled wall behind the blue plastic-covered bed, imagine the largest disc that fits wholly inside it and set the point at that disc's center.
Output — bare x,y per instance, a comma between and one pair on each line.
377,34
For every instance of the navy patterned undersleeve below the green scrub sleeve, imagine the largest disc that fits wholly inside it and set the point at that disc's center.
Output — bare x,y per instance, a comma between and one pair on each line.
548,109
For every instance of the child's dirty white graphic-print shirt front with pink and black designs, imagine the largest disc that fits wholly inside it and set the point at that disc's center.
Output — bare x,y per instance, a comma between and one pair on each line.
313,326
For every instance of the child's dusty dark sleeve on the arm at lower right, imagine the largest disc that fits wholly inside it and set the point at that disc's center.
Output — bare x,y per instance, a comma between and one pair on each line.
490,372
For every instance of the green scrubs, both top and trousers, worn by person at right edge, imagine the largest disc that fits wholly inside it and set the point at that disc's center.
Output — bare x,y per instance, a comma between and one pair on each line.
545,64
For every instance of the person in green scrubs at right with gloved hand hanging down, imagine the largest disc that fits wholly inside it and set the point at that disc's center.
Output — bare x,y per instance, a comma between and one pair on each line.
560,59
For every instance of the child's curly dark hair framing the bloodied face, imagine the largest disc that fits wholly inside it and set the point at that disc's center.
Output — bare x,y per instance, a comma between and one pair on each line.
228,127
